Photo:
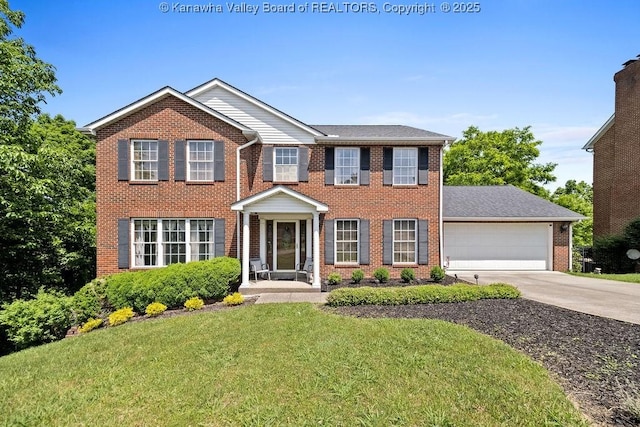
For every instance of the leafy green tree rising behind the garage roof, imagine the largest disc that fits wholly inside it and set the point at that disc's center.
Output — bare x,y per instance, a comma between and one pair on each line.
498,158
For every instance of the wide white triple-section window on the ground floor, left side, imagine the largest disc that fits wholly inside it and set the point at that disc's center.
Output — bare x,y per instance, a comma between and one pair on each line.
160,242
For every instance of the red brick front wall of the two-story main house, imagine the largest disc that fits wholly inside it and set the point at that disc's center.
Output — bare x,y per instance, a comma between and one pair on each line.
172,119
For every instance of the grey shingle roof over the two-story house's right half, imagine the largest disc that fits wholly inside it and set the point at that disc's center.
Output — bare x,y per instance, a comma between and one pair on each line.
377,131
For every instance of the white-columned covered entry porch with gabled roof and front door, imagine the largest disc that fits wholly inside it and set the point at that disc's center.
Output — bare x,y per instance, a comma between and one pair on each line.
288,235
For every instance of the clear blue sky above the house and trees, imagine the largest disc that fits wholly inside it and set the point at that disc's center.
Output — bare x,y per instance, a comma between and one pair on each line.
544,63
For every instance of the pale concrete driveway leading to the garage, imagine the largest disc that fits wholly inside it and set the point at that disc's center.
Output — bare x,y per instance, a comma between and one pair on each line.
607,298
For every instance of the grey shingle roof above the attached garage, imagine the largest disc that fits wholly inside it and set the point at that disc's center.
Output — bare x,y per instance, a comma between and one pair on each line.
500,203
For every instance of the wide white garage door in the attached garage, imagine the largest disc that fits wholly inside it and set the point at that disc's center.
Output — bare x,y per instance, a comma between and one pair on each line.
497,246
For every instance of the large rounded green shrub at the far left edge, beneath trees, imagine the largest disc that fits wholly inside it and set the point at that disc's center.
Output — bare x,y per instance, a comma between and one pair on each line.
43,319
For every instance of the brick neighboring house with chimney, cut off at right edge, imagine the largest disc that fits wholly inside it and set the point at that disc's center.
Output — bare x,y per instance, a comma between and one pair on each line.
616,157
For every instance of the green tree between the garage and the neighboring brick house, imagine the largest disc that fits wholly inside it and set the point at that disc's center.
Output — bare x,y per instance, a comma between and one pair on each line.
578,196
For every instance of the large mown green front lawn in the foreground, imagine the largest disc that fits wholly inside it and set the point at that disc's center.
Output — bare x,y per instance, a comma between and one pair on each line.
280,364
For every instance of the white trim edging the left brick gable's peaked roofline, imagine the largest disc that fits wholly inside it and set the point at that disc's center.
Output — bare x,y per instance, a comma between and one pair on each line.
155,97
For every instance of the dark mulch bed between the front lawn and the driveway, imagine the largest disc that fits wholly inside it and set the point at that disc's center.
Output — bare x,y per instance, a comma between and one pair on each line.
593,358
